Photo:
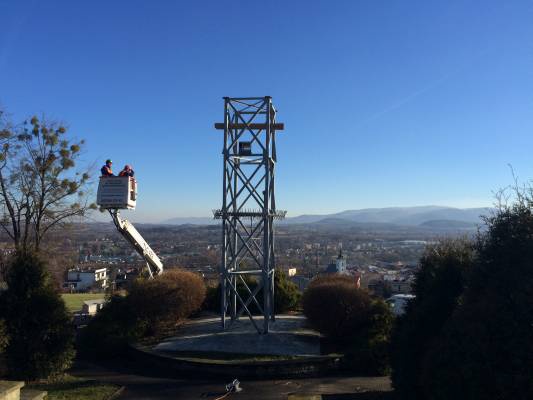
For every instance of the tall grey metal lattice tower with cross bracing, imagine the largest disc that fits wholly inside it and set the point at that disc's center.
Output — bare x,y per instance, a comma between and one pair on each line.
248,210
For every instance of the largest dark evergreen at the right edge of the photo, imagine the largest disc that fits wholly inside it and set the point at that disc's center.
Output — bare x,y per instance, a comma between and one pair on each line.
485,349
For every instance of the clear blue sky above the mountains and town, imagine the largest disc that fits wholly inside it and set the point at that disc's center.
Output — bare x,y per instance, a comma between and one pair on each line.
386,103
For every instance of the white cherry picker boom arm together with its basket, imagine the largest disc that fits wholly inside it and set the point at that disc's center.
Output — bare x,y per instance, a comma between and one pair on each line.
116,193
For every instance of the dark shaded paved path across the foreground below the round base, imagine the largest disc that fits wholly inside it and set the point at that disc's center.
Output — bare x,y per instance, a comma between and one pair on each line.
144,387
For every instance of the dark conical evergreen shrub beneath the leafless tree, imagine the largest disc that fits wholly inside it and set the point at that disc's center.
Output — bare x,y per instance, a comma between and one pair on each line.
38,326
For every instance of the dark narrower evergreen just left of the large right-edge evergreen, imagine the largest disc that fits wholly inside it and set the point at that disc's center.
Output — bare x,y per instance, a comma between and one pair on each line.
438,287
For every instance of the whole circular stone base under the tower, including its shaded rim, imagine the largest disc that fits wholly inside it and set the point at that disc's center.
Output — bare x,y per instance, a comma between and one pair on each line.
202,348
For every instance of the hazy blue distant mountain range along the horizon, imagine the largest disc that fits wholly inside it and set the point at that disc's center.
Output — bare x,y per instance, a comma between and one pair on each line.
426,216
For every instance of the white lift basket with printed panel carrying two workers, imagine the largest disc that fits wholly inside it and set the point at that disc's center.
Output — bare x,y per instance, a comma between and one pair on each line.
117,192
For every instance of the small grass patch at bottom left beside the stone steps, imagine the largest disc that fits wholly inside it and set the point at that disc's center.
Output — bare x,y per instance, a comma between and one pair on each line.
70,388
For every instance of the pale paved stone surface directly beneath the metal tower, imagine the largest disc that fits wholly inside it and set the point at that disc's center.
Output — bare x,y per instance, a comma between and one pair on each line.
288,336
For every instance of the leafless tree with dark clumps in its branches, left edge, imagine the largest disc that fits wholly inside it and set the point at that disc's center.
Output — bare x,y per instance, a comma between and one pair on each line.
40,186
